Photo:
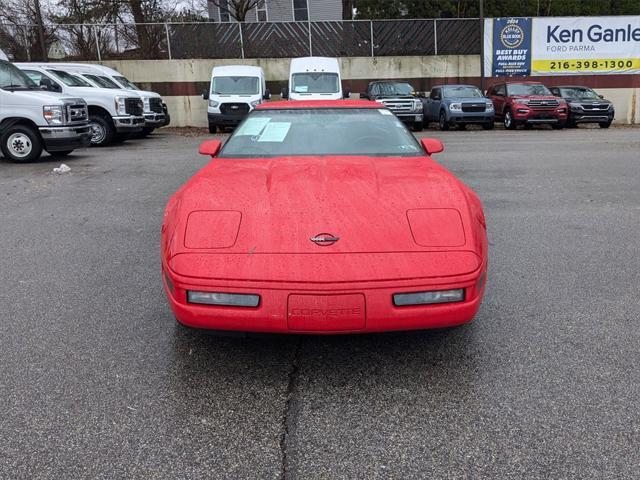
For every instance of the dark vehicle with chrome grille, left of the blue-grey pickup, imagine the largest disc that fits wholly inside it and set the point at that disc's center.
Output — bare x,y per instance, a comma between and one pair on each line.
400,98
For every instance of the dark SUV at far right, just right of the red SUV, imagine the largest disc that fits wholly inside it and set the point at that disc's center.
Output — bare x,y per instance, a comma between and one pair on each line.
585,106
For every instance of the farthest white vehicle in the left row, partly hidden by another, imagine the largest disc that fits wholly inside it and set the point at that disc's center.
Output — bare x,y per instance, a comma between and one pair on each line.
155,110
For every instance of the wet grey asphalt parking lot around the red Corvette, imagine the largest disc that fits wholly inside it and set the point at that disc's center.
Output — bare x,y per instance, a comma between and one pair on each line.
97,381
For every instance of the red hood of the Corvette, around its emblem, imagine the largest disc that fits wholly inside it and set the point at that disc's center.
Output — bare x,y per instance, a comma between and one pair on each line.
408,204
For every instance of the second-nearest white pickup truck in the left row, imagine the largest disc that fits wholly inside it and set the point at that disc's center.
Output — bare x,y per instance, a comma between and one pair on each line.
112,115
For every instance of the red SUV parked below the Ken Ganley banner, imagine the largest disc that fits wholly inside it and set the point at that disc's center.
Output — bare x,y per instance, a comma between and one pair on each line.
527,103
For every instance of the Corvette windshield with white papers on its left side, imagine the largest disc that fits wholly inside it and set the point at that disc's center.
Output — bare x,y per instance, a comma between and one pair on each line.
355,131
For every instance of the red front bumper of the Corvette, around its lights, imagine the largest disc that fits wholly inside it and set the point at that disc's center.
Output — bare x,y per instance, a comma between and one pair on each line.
274,313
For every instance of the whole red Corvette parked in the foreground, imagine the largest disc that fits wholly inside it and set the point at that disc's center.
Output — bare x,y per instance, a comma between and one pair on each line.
323,217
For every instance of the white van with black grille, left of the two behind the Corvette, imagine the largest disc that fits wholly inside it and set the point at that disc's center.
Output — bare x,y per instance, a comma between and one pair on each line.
234,91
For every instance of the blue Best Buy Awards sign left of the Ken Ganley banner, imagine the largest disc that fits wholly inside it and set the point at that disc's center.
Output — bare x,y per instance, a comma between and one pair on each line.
511,47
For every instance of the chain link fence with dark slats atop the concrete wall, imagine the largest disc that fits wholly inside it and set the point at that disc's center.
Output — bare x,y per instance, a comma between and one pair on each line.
152,41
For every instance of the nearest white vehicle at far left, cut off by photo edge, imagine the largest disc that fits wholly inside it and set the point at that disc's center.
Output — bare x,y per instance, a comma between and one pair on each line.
33,120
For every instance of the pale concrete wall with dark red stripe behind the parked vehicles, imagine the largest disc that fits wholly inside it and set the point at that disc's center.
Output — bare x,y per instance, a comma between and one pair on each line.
181,82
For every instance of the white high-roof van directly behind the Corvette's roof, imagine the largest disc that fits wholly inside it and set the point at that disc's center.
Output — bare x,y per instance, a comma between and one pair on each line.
314,78
